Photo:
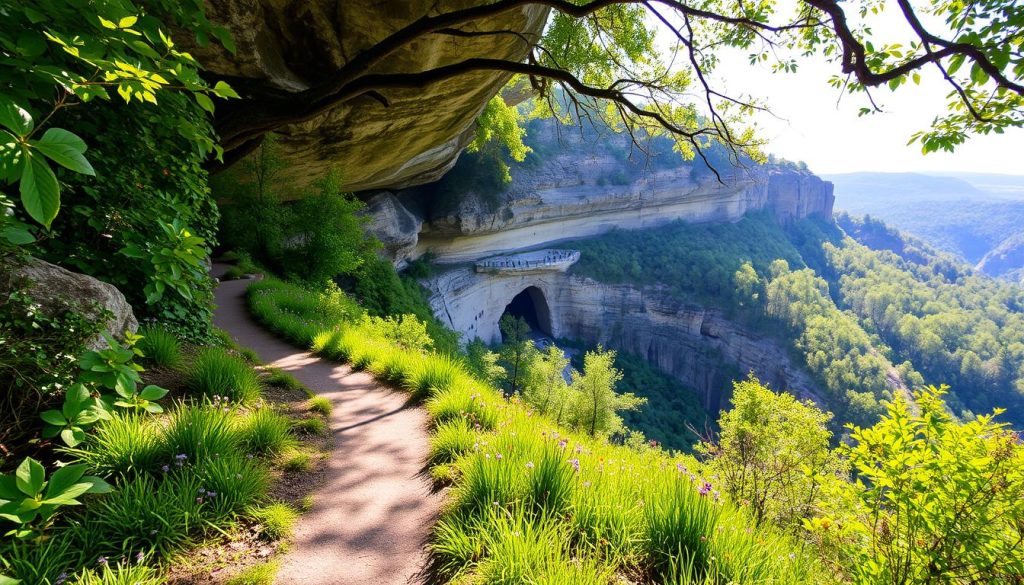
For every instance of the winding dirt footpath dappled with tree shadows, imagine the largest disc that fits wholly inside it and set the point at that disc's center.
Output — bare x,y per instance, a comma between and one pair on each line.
372,516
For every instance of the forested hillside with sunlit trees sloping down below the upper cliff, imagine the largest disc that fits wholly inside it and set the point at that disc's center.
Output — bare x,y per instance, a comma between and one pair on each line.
869,321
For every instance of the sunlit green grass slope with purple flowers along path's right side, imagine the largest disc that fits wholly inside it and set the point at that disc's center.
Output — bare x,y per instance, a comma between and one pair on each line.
533,503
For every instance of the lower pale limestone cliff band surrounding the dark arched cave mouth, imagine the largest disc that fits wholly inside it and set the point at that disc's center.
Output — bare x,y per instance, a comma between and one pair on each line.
687,342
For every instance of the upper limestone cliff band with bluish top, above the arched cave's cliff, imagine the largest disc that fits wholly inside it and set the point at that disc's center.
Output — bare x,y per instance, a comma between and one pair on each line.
569,198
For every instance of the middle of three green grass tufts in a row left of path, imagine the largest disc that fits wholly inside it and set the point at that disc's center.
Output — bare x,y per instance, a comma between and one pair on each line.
200,432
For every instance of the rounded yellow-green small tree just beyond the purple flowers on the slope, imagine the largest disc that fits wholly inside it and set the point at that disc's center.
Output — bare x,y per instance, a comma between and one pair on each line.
773,454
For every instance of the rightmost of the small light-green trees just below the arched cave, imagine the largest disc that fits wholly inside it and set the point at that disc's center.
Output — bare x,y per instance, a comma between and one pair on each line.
596,405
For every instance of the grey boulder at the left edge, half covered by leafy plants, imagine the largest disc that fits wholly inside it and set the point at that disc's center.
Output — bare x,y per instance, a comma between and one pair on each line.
59,291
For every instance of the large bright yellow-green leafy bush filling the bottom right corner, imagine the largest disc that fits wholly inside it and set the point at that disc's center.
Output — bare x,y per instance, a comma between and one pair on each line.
935,502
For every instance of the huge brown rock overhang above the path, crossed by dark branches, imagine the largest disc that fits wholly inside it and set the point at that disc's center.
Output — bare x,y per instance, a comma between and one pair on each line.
290,46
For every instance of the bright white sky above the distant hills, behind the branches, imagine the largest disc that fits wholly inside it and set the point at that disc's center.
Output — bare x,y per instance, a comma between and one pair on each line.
830,137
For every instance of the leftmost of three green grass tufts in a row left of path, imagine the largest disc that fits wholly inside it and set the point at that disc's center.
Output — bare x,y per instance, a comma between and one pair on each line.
127,444
